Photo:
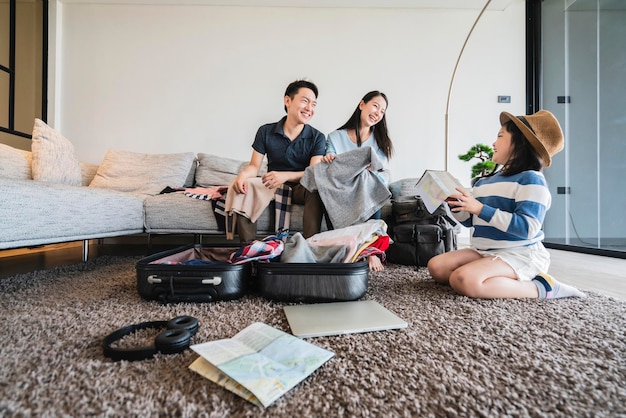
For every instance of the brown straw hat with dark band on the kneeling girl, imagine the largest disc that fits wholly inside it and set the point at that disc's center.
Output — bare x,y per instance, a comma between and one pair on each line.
541,129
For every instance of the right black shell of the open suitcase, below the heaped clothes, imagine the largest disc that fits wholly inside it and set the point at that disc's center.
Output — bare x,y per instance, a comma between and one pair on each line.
312,282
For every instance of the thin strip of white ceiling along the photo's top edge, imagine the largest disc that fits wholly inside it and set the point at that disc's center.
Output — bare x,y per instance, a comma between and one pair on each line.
394,4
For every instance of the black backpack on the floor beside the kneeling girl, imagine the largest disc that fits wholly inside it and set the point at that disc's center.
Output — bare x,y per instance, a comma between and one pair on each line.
419,235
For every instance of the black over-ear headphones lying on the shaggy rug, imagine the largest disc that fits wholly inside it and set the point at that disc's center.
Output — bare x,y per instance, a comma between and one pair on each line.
175,339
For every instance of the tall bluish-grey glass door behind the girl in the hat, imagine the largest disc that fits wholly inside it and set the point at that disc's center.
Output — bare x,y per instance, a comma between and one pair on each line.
584,85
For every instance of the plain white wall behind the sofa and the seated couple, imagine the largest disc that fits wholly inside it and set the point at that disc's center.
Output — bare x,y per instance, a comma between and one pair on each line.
170,78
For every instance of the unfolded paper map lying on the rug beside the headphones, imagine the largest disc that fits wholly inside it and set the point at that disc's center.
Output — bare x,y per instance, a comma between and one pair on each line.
260,363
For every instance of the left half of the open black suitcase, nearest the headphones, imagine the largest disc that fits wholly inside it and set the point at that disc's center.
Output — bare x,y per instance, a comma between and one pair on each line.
193,273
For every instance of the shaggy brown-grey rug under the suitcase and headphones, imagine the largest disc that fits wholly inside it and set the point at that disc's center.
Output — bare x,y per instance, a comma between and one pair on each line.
458,357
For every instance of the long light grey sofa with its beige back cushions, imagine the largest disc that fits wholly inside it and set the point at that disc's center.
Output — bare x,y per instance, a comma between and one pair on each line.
47,196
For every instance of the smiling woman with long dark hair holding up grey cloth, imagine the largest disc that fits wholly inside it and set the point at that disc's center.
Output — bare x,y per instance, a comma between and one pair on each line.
367,127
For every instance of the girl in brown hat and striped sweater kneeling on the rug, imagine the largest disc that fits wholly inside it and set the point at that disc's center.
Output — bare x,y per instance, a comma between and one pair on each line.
507,258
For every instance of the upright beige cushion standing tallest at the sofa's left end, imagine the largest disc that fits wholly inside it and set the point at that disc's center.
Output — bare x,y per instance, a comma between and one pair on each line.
54,160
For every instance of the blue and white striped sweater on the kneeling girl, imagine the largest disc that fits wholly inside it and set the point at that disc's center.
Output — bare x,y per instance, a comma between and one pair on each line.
513,212
